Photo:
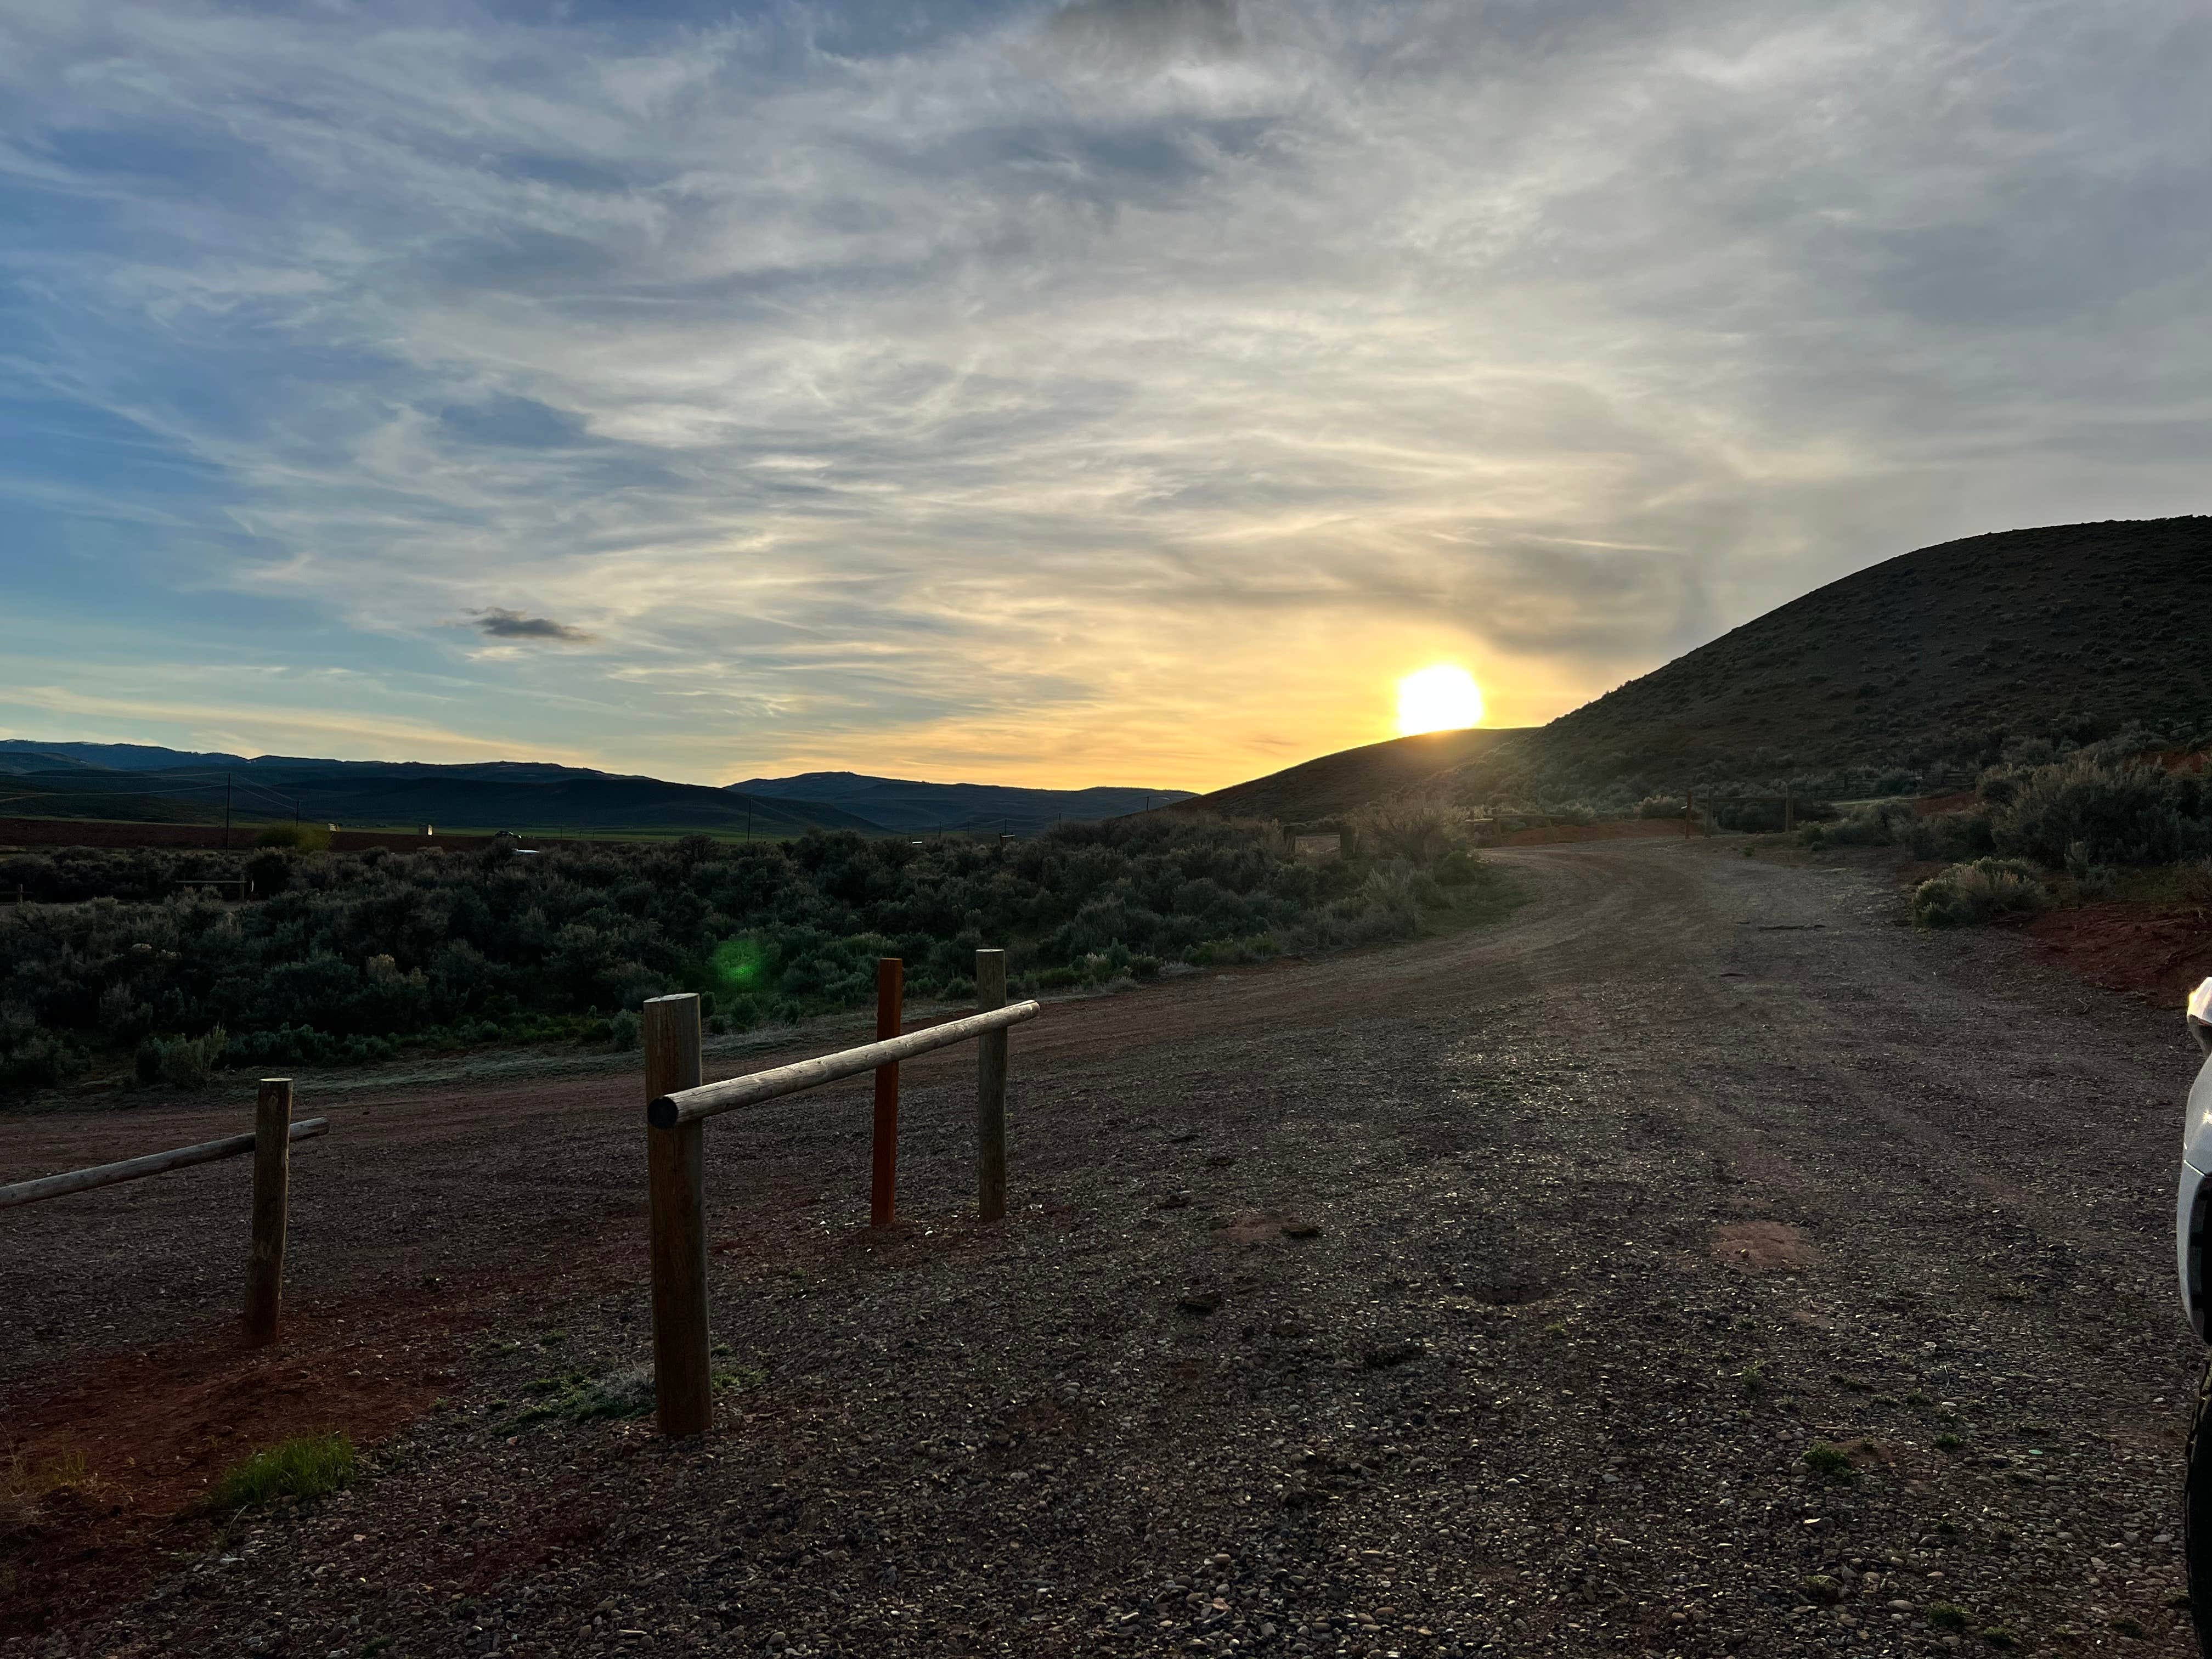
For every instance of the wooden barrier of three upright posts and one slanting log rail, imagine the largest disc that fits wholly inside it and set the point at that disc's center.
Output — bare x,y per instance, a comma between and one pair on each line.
678,1107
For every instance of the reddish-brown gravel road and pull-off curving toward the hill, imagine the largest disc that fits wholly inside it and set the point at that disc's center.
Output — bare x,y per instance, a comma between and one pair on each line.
1598,1222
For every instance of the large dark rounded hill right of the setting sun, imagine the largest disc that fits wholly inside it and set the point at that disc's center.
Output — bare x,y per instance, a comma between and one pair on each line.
1932,658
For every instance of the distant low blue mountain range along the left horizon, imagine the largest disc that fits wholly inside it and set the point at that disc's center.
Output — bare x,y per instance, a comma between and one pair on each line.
145,784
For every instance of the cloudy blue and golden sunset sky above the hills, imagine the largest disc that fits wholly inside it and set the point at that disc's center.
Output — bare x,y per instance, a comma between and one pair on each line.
1103,393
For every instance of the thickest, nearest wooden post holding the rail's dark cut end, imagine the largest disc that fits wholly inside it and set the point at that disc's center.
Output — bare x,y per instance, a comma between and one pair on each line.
676,1176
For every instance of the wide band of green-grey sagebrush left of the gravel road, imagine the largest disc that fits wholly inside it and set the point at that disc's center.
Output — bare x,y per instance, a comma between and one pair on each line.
357,952
